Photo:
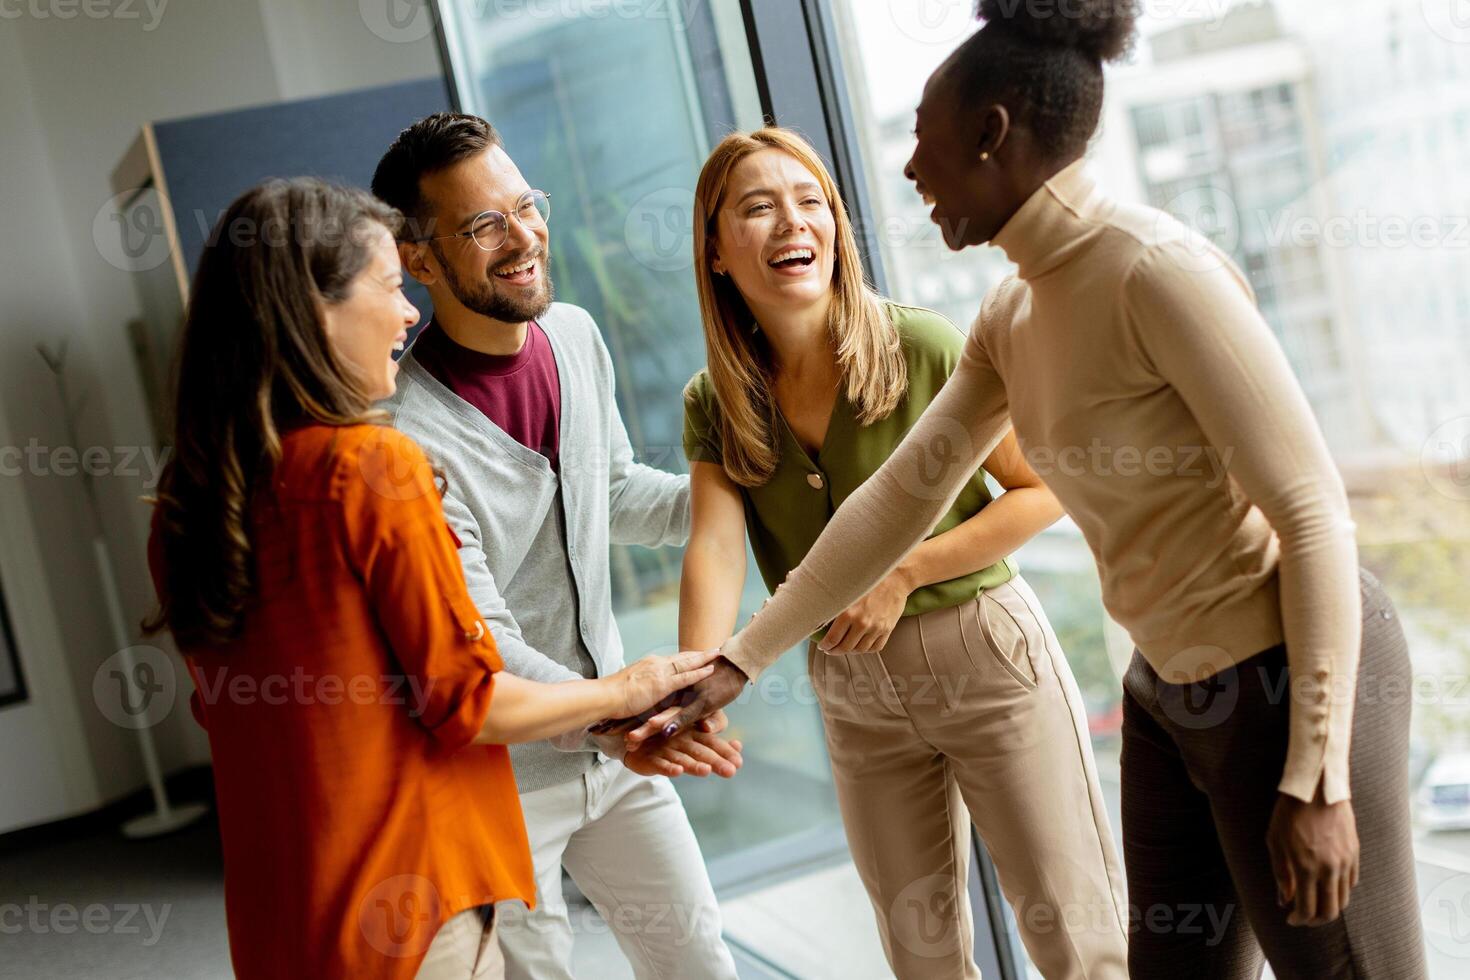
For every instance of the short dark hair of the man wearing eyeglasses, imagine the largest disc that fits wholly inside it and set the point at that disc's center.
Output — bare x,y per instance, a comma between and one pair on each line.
429,146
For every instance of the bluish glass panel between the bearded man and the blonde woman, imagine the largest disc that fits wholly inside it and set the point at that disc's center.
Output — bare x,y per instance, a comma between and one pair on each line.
612,109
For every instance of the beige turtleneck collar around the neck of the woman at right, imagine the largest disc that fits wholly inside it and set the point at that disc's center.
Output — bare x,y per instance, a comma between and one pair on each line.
1053,224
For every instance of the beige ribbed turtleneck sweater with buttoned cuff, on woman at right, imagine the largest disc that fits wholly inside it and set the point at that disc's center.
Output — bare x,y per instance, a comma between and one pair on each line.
1159,408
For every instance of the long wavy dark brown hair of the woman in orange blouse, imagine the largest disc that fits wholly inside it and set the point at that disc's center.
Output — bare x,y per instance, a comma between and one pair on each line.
254,362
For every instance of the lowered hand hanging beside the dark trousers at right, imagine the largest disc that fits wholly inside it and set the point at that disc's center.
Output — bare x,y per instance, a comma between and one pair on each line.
1315,857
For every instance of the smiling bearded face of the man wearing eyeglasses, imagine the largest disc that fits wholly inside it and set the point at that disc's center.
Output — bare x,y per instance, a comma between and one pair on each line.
509,284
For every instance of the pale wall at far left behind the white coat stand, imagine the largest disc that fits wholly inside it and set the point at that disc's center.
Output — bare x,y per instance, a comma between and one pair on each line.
73,96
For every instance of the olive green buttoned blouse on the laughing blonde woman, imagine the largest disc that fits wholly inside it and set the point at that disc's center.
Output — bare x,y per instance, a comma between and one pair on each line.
786,516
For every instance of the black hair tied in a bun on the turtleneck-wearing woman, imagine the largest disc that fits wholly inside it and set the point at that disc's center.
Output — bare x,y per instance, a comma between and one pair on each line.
1043,60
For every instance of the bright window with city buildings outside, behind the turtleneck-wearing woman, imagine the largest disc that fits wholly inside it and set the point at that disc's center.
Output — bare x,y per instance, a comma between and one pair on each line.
1327,155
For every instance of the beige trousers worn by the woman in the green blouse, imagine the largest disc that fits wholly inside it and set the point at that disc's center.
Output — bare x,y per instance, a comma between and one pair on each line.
971,713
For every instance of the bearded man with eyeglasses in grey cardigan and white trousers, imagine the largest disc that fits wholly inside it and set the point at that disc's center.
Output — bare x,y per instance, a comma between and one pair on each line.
512,396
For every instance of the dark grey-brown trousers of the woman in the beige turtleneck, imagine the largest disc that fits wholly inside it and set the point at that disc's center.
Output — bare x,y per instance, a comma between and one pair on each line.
1200,771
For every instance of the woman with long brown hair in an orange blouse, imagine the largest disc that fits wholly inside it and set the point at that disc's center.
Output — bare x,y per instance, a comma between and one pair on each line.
354,697
